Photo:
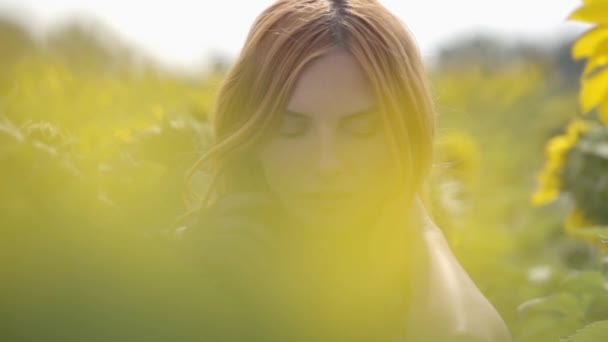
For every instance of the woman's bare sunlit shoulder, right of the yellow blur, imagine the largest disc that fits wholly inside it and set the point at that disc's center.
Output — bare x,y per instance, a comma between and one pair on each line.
450,299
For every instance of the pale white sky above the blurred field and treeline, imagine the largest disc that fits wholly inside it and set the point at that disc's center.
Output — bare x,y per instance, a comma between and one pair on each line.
184,33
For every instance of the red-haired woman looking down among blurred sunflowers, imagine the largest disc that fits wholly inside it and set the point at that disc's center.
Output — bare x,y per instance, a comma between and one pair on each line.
312,227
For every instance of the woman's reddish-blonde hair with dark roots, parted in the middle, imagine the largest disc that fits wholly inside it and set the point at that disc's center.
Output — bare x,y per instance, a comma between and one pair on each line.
287,37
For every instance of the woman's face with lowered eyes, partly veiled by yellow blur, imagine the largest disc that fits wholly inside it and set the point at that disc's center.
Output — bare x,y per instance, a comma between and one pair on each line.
328,161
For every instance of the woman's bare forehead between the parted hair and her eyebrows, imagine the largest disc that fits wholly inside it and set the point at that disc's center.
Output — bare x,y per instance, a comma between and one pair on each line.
332,86
